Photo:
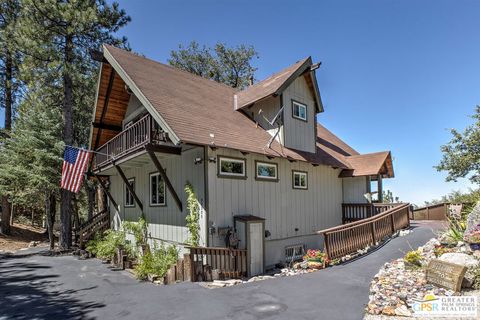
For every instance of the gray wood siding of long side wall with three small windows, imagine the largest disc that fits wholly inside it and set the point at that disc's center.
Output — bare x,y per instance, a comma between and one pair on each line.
283,208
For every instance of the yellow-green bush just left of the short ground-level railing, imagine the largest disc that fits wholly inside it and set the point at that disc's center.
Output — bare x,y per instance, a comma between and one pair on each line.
156,262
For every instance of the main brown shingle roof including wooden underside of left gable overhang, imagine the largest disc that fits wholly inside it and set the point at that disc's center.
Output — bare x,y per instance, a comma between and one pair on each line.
197,111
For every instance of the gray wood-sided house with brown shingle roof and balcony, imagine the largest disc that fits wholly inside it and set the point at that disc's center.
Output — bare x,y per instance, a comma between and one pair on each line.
257,158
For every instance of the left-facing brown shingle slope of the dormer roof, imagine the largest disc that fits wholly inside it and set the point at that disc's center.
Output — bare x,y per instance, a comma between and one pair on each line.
268,86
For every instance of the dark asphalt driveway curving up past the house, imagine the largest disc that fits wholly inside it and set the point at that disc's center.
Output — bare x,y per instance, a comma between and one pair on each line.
37,286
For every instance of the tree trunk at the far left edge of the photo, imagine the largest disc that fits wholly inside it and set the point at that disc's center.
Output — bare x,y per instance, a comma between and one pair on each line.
6,208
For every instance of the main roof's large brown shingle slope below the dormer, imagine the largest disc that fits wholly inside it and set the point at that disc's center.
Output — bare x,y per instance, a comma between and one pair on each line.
196,108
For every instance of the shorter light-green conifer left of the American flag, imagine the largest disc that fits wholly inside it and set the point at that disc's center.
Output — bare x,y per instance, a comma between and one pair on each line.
31,156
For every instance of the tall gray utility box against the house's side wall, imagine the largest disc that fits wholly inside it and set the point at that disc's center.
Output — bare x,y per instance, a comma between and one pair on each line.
251,233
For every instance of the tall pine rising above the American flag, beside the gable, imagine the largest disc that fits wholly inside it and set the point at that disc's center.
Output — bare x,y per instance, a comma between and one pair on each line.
56,37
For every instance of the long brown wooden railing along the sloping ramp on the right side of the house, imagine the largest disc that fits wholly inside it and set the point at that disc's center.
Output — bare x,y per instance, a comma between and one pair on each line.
348,238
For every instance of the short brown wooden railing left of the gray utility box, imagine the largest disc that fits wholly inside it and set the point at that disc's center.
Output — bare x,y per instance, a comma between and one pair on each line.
226,262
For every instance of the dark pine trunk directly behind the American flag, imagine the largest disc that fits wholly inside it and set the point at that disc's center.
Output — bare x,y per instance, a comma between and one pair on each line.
66,196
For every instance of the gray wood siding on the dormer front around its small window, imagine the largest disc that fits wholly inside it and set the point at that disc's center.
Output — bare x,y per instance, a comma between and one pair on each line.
299,134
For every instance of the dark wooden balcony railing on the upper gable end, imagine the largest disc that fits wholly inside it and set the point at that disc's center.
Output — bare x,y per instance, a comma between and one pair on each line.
133,138
